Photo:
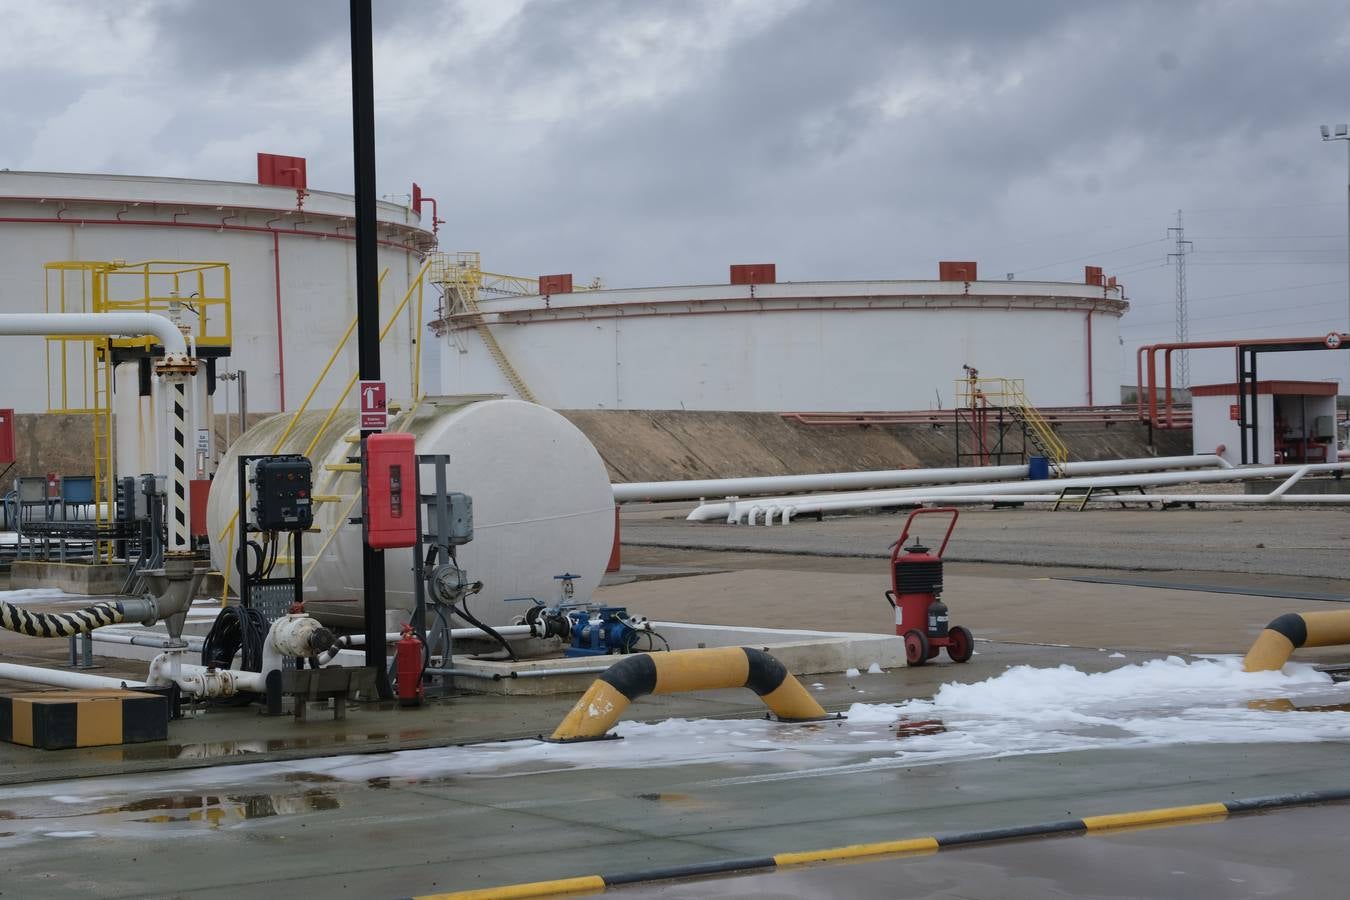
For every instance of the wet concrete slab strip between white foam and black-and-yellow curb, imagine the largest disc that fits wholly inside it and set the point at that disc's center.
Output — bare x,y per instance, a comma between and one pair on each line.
273,835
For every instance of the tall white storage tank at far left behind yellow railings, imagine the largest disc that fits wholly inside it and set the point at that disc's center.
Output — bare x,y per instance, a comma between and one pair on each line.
292,271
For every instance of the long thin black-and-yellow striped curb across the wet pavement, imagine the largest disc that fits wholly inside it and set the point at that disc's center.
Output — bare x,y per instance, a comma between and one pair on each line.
1197,814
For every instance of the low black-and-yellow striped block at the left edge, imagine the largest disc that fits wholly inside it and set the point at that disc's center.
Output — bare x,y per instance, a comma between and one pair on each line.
64,720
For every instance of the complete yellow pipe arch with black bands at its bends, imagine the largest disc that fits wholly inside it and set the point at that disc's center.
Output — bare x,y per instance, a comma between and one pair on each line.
680,671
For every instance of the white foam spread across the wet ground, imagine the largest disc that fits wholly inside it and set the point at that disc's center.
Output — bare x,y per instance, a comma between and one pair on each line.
1021,712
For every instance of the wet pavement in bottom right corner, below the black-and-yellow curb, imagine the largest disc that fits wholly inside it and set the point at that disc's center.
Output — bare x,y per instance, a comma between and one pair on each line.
1233,860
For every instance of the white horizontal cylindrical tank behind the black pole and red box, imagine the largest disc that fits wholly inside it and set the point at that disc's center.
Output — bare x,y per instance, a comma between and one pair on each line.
543,505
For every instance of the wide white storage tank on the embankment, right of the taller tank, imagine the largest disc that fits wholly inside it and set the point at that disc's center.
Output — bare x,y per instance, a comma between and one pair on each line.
846,346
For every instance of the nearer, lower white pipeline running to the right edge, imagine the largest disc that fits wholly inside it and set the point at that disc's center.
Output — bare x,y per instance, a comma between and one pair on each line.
769,509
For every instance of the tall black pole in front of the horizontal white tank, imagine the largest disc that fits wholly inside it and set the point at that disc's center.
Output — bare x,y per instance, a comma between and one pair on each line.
368,302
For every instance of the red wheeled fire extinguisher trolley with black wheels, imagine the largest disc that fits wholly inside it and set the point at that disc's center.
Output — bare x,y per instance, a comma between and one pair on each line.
921,617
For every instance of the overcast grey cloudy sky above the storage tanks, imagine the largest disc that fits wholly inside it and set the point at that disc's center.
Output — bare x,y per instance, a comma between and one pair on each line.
659,142
